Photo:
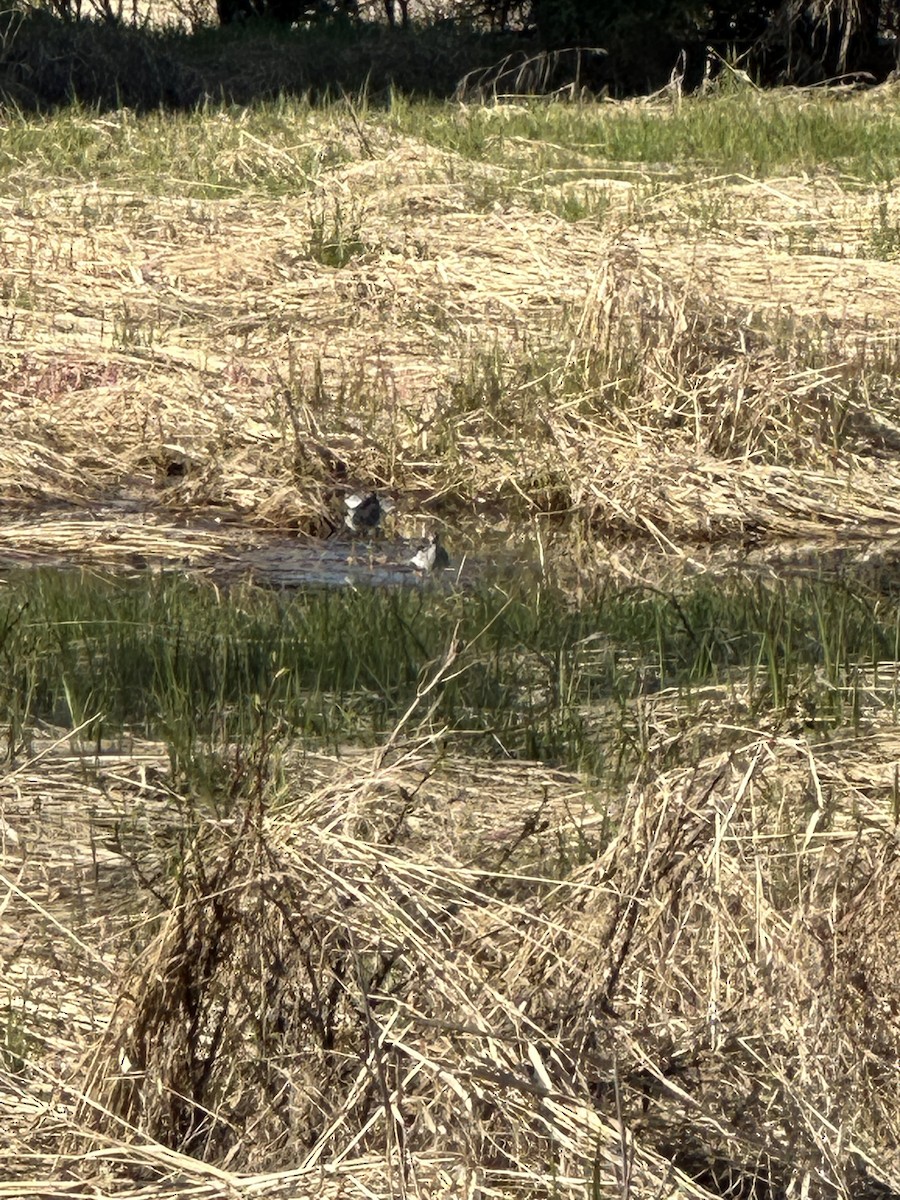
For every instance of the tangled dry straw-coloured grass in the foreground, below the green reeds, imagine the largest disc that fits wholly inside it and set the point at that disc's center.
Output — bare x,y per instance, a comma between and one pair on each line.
397,979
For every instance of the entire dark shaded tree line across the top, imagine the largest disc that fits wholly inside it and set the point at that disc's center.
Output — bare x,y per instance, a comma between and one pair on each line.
51,51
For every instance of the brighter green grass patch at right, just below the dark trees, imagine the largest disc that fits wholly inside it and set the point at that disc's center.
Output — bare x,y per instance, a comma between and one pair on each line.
746,133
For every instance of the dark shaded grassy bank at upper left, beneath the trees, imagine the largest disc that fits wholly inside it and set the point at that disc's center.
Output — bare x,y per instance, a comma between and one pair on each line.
46,63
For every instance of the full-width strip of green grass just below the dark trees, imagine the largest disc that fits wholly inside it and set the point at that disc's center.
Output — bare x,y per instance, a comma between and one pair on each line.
281,146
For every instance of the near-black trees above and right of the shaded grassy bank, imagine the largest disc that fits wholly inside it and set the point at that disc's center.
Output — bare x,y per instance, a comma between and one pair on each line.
777,41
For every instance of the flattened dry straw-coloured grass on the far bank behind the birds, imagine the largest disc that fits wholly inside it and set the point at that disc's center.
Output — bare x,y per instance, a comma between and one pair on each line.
502,357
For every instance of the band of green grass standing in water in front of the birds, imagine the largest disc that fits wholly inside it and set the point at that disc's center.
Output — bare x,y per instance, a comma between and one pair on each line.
535,677
